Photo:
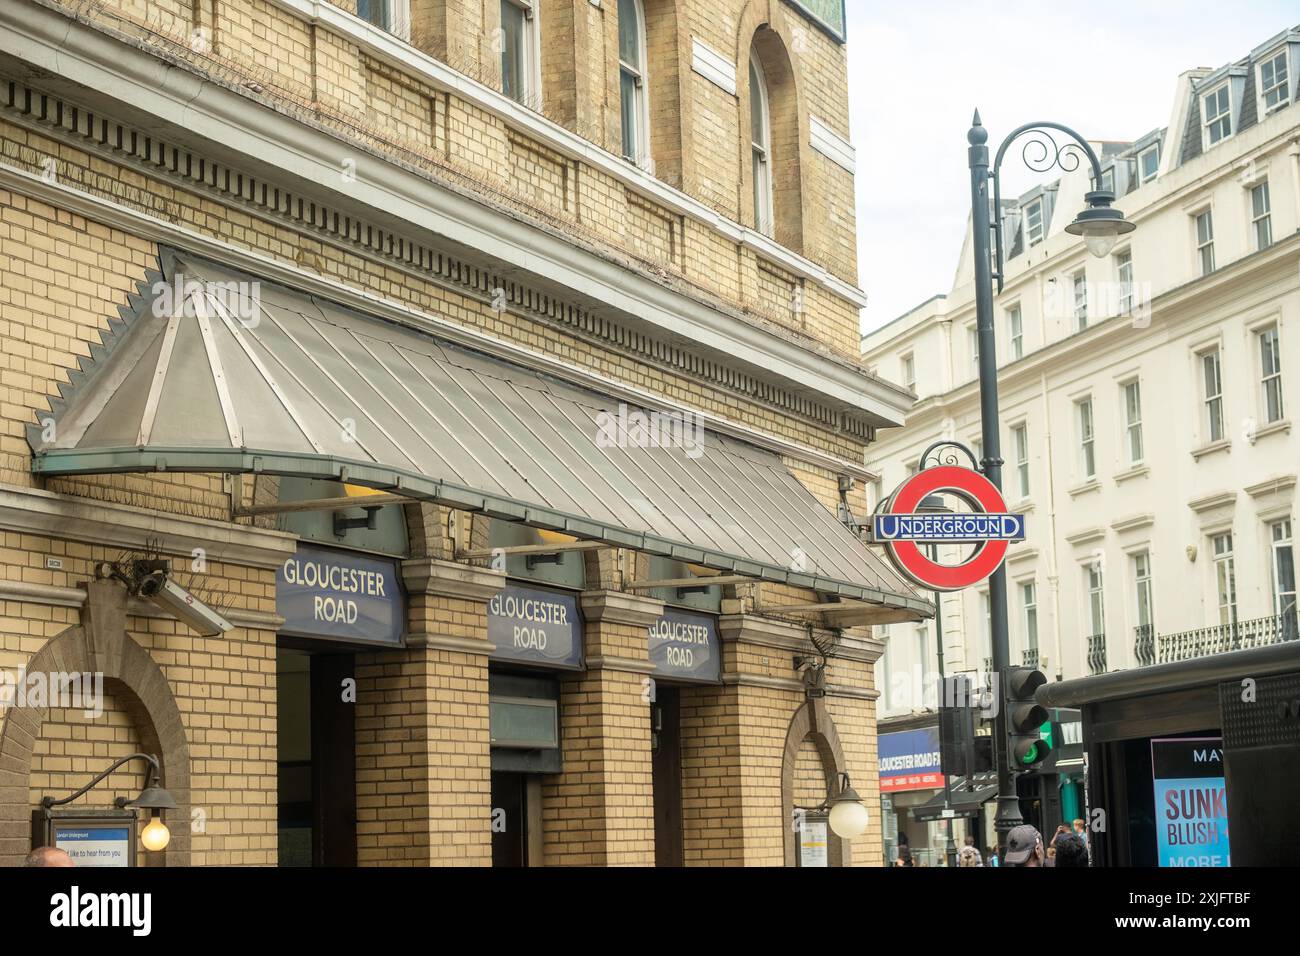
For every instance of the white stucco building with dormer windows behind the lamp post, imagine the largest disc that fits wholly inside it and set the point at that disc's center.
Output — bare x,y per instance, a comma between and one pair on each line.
1147,399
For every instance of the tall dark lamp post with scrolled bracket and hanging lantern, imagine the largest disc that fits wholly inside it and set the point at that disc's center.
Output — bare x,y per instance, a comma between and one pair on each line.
1100,226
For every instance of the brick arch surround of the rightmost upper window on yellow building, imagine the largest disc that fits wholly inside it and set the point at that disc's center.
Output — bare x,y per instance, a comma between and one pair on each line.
765,31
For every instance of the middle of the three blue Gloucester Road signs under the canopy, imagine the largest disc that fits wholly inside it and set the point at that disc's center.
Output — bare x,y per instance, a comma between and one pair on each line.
535,626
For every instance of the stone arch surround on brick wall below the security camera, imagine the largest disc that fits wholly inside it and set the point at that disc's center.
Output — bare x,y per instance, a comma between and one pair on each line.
99,646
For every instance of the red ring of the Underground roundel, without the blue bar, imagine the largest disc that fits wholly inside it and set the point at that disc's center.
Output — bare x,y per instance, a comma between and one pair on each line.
908,555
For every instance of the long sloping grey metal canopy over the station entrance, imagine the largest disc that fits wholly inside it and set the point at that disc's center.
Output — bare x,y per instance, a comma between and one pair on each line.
279,383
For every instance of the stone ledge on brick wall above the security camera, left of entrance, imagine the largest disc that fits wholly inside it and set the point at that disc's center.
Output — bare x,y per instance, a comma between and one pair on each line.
34,512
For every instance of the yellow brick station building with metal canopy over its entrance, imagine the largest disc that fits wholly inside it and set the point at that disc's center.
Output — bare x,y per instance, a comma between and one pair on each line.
265,259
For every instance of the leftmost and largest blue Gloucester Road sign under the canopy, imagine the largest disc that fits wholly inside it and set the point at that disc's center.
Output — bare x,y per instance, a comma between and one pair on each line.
341,596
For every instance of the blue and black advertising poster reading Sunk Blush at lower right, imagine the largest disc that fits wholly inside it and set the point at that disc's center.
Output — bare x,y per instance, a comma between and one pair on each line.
1191,802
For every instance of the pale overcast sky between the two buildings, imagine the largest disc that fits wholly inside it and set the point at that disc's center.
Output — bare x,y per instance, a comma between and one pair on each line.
918,68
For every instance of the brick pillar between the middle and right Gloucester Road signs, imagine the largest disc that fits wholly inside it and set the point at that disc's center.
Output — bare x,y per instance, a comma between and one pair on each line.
600,811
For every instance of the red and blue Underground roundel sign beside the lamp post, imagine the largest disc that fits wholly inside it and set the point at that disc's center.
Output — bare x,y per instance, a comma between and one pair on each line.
902,530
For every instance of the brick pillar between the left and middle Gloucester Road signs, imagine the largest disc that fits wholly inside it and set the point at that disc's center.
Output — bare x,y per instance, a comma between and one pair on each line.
423,750
